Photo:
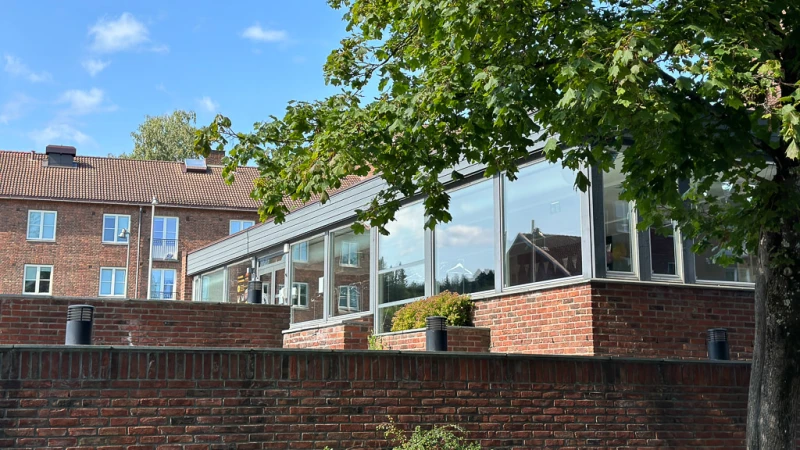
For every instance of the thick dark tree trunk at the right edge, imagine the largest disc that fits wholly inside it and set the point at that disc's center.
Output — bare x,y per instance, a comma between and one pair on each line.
775,377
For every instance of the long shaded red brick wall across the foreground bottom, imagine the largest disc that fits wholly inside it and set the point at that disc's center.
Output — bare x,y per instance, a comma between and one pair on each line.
211,399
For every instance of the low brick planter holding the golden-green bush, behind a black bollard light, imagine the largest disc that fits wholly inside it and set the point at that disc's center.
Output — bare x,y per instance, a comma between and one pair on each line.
459,339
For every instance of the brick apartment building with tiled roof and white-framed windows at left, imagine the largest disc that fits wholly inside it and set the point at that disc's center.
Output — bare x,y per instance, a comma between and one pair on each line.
82,226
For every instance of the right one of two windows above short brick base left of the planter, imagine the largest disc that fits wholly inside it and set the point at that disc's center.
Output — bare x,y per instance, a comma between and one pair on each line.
351,265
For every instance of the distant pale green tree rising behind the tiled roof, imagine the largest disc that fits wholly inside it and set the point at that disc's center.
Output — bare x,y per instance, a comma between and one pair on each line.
167,138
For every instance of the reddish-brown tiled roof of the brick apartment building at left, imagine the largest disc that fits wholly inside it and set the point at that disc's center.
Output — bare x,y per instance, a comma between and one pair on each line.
114,180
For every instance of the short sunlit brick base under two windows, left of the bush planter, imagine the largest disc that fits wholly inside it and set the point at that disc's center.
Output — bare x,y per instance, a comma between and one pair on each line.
351,335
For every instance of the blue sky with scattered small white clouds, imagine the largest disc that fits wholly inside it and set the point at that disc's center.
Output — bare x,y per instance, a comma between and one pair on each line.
86,73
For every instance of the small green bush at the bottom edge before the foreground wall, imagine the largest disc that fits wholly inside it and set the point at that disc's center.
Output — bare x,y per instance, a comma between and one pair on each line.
446,437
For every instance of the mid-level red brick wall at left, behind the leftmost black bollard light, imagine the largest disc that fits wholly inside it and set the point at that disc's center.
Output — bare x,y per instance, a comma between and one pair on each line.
42,321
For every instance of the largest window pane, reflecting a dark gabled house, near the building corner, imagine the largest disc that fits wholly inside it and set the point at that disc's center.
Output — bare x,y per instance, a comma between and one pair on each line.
542,225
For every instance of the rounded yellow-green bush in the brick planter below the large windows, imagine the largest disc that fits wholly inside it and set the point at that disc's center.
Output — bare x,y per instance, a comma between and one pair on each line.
456,308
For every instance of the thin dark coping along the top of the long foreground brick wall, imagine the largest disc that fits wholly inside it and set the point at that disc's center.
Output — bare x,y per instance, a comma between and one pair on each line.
371,353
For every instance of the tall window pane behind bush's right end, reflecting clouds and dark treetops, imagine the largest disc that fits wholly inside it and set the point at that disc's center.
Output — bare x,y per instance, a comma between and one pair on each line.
465,245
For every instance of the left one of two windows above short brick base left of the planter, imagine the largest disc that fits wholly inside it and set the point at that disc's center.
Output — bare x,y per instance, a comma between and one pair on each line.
308,280
